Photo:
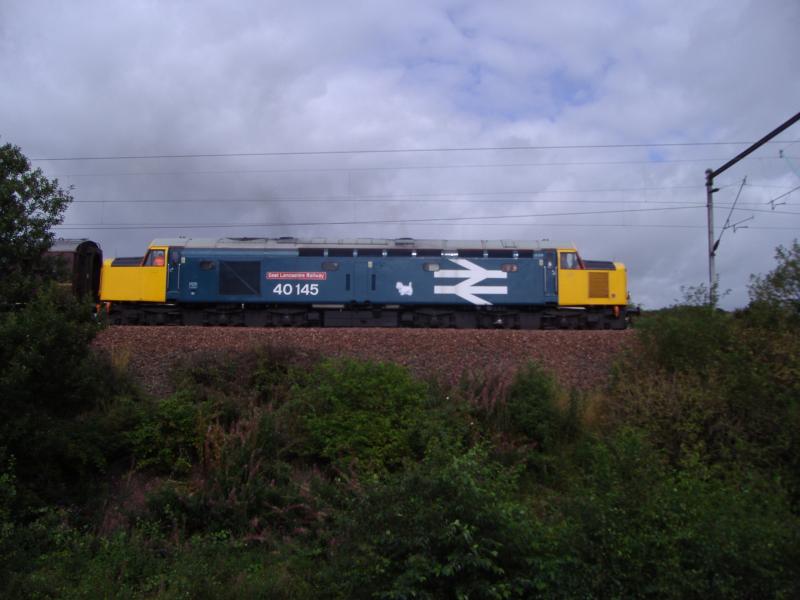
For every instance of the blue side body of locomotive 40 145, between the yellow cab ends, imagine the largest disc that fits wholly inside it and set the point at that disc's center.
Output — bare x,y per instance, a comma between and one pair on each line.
361,276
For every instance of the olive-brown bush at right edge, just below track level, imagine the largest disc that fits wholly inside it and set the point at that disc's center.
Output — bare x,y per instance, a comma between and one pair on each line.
724,387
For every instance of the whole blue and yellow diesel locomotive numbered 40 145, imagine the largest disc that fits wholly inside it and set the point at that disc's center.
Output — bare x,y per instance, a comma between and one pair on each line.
364,283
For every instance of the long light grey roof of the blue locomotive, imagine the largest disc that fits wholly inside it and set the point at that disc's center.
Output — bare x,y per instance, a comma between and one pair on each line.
409,243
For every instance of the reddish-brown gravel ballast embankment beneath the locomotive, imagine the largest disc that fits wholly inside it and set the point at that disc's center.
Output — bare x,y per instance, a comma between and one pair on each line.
577,358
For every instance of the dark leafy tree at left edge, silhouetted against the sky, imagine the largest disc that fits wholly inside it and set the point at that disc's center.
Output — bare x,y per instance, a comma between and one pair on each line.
30,205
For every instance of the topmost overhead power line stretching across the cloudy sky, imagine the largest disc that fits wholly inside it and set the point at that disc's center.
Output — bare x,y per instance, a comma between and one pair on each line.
386,151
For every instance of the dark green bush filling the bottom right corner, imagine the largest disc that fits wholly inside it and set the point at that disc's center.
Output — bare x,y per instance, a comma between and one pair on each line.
636,527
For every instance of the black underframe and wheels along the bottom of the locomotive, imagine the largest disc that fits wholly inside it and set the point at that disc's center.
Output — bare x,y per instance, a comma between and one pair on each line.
359,315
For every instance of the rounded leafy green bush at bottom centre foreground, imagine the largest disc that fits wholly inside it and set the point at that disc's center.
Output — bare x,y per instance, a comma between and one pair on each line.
447,527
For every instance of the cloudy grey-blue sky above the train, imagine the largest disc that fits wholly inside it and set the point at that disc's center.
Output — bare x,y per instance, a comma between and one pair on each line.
585,122
